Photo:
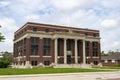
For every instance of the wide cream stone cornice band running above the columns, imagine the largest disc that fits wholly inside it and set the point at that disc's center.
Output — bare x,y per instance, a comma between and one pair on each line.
52,35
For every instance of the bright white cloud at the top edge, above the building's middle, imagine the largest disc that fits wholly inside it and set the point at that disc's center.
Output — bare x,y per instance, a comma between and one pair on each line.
72,4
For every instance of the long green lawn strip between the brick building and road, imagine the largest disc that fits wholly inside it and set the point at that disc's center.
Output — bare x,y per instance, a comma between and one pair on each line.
10,71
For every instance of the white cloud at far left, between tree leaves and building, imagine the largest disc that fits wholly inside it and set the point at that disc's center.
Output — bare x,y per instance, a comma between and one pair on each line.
8,28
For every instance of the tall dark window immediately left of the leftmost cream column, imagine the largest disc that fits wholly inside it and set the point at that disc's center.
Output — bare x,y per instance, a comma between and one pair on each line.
46,46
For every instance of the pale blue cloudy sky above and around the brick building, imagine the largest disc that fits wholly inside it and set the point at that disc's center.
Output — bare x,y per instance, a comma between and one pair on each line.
103,15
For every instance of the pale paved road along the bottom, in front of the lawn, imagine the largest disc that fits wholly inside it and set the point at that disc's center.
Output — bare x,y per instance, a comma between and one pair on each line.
67,76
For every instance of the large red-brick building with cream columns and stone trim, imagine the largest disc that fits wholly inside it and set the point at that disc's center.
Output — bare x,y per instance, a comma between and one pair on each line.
41,45
